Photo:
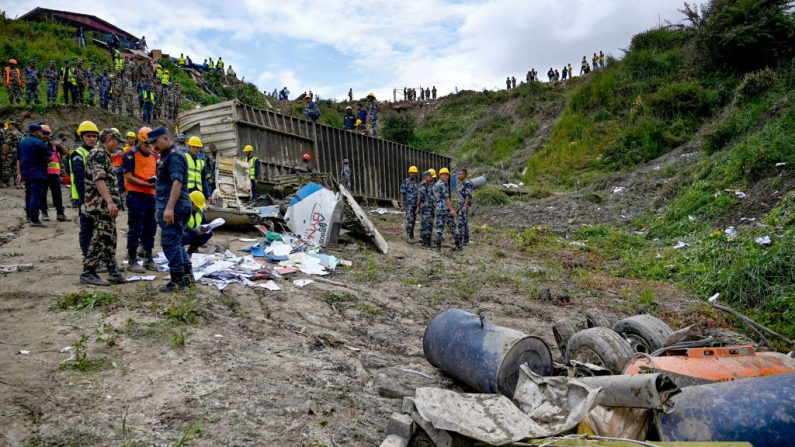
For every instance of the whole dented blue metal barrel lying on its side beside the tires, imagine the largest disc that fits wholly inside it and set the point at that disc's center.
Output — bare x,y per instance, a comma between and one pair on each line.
484,356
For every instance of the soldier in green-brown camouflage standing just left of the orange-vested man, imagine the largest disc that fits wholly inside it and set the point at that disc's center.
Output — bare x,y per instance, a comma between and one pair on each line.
102,206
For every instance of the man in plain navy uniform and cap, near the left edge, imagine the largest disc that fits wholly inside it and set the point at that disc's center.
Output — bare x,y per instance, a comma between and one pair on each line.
34,154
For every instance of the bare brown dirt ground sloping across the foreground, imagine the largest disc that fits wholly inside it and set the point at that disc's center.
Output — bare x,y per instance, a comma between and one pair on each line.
313,366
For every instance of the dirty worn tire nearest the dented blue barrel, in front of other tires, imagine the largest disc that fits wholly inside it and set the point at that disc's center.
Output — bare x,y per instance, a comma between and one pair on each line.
600,346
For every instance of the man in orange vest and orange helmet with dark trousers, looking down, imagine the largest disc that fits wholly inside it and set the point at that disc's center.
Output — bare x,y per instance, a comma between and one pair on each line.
140,174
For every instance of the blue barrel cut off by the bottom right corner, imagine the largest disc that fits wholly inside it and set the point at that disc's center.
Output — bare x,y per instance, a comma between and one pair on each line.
759,410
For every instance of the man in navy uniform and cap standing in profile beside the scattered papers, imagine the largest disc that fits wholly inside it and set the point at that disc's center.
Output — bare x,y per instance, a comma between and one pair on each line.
173,208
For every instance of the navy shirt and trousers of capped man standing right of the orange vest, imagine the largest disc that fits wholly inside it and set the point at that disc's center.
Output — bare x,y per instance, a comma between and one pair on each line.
173,167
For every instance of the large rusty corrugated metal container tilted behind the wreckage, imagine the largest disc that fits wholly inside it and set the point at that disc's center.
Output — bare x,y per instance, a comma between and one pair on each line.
279,141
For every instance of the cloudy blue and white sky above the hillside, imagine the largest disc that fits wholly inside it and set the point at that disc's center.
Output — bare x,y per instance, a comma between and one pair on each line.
332,45
